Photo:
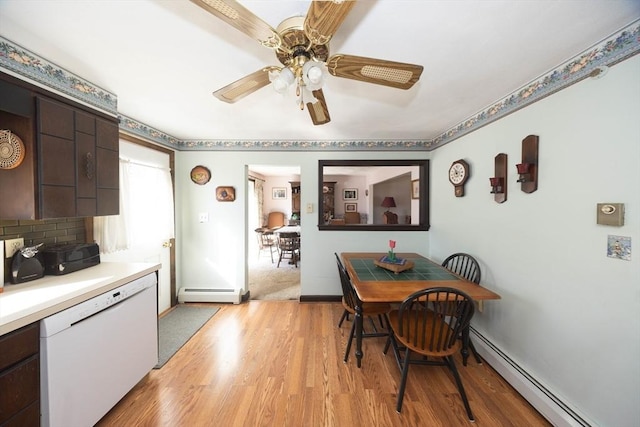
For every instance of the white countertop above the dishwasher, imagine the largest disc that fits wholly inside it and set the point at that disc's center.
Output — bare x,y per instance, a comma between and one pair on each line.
32,301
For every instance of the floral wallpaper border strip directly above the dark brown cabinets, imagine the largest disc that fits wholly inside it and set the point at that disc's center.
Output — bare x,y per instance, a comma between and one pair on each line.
27,64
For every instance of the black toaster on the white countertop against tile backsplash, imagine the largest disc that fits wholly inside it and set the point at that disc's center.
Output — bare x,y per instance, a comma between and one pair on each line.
67,258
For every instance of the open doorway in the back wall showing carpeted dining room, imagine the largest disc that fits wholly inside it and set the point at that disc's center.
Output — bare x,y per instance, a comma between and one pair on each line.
269,190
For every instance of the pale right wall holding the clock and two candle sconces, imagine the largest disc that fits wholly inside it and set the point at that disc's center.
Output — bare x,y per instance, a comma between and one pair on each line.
569,314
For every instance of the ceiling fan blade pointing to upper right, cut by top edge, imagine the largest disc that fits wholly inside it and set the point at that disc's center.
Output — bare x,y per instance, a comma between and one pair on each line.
324,18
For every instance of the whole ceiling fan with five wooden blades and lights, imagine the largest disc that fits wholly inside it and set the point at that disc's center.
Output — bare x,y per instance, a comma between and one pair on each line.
301,44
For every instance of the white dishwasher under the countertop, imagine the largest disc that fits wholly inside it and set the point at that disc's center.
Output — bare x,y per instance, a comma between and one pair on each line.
93,353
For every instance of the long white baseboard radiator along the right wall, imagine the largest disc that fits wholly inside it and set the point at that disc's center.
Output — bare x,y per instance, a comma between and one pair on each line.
537,394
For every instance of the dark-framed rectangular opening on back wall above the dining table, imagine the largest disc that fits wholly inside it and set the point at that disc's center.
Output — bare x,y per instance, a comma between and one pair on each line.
386,195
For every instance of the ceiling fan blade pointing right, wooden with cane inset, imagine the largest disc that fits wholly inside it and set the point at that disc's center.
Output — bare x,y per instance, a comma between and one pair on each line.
371,70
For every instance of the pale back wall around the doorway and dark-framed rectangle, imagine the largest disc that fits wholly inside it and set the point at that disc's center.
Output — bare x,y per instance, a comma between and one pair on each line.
213,254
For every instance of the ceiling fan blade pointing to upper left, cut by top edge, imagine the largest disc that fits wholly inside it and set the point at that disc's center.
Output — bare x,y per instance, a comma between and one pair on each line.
241,18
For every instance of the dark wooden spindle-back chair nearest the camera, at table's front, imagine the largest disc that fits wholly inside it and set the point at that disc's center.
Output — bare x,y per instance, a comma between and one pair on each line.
432,330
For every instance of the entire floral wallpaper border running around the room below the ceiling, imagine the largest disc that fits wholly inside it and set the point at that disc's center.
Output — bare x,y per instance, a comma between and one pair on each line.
610,51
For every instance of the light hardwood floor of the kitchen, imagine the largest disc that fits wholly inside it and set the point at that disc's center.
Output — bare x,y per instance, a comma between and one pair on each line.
279,363
